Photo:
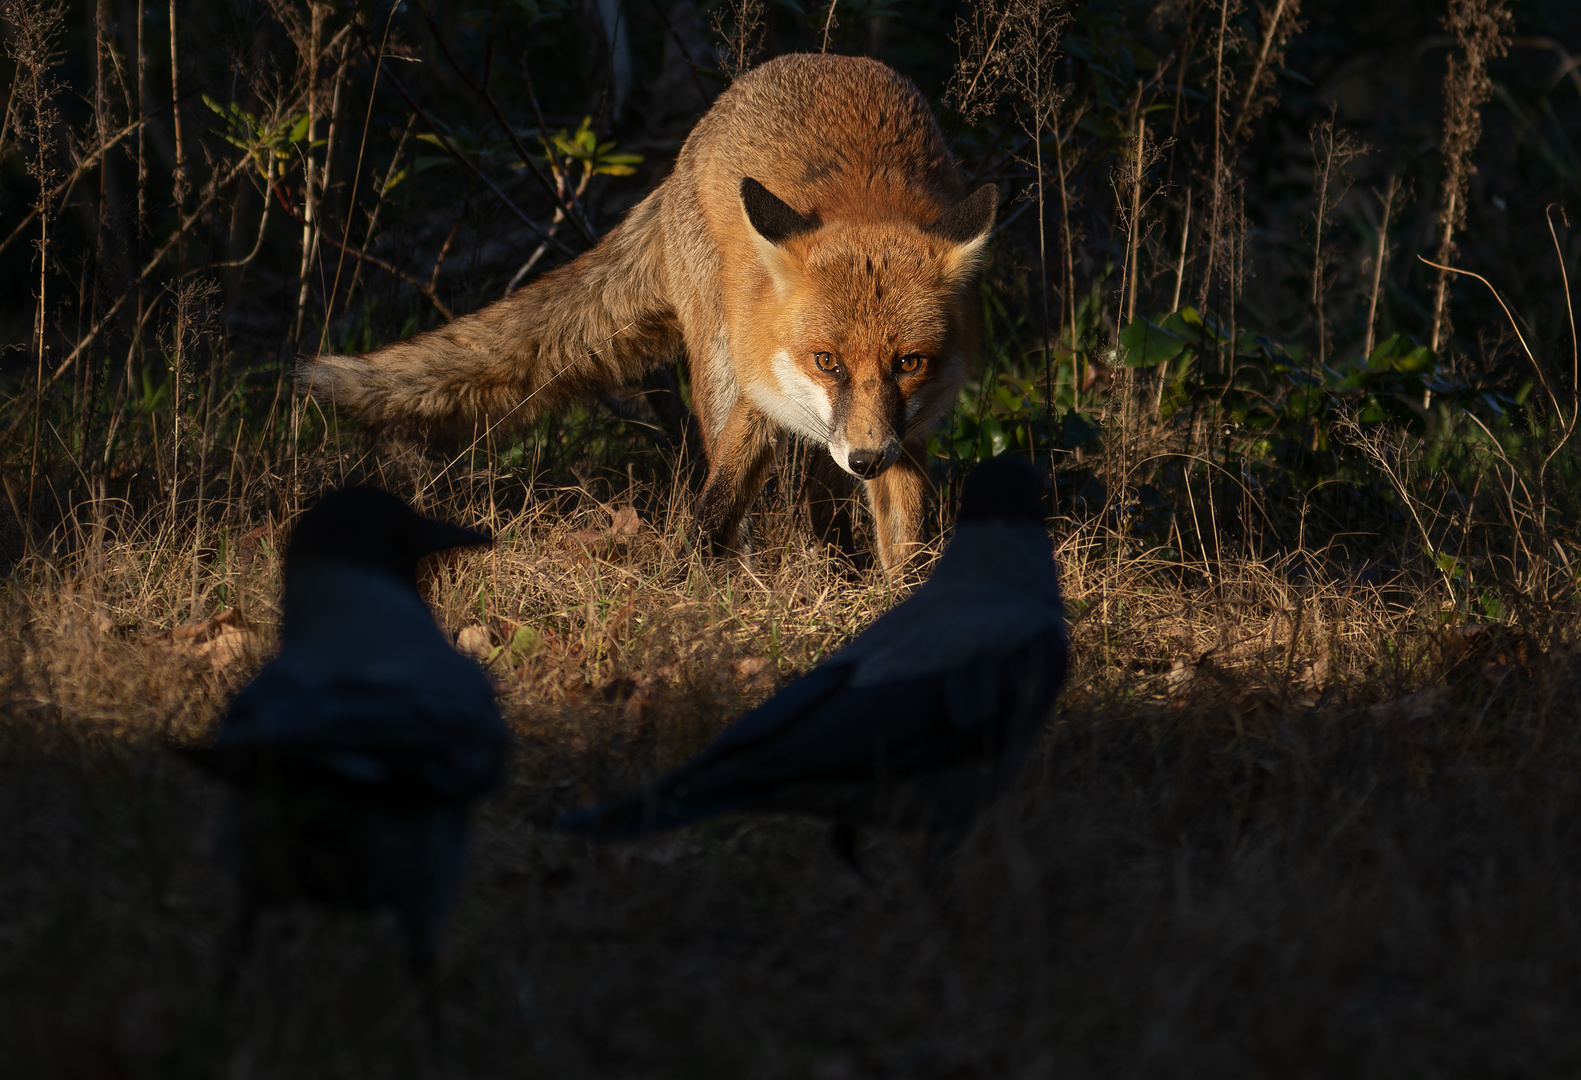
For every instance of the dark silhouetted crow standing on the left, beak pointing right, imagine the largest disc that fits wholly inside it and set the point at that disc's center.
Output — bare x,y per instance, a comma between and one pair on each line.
357,755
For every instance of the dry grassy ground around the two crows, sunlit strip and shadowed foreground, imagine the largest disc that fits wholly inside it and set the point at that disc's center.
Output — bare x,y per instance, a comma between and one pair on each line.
1242,850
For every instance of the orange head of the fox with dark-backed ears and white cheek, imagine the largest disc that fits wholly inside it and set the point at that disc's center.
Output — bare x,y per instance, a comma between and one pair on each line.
874,323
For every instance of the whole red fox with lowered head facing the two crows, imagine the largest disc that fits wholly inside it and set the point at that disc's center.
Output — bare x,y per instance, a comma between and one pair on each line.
815,255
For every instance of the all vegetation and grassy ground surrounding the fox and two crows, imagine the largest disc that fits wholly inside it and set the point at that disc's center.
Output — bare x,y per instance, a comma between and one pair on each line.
1308,806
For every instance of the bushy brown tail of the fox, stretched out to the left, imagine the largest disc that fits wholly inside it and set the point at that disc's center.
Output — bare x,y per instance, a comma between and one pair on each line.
594,325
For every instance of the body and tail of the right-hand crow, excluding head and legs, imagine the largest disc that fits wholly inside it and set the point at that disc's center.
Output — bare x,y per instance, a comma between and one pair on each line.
964,670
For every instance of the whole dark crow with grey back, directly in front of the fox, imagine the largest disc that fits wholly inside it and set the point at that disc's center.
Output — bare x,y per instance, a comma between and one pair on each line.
916,723
